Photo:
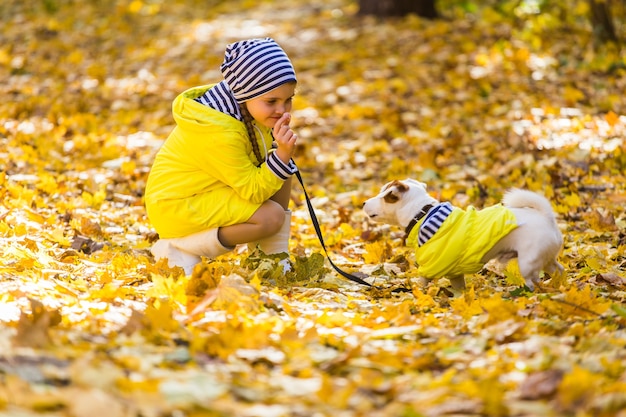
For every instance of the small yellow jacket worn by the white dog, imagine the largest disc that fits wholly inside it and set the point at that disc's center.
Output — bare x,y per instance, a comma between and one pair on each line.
462,240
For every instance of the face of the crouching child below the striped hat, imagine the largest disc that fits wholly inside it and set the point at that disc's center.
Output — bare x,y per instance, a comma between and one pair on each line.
269,107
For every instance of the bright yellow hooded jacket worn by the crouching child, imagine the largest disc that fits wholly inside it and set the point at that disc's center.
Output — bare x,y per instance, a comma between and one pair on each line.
206,175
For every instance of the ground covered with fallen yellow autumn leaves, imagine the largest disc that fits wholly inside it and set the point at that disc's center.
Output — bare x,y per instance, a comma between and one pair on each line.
92,326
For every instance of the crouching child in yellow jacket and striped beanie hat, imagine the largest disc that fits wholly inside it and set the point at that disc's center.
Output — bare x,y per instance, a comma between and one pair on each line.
223,176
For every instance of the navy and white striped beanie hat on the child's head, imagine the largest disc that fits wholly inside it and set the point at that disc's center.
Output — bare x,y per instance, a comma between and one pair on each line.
254,67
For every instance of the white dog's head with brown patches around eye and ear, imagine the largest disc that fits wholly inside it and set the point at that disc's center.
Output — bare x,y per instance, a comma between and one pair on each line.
397,202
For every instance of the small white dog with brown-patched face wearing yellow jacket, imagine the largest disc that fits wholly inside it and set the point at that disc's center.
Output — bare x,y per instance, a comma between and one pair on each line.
452,242
